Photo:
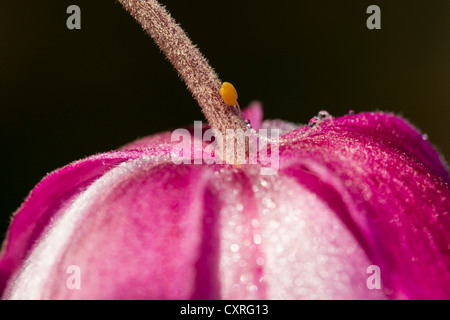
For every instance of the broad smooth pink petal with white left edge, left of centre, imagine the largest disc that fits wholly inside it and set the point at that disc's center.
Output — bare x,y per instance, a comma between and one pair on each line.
139,232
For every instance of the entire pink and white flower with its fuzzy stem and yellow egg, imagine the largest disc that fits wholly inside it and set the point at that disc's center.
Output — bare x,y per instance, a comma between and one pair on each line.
356,207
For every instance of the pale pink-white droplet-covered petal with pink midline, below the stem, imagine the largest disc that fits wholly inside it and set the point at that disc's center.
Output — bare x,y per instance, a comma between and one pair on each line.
281,241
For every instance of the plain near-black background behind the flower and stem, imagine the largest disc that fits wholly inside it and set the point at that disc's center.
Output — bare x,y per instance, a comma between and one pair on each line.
67,94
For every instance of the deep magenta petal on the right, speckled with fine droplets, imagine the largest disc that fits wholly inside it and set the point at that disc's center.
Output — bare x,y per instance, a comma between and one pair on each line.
396,191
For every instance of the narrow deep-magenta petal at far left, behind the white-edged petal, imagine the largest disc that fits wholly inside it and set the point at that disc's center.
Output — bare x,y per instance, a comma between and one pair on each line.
49,198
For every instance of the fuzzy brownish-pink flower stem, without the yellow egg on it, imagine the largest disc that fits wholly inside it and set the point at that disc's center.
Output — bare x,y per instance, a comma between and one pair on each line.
192,66
